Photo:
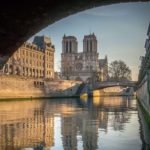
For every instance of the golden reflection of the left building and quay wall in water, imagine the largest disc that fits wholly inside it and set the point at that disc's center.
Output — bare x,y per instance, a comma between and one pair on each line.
25,124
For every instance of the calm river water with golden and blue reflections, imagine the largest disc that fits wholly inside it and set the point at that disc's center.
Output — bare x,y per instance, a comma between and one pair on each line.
99,123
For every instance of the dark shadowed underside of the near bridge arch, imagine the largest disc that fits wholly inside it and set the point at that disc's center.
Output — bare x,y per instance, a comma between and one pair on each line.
19,20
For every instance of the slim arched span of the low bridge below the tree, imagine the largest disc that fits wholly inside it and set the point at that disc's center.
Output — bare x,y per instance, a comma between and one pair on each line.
105,84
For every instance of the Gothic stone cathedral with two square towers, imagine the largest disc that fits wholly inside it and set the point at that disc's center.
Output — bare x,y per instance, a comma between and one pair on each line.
81,65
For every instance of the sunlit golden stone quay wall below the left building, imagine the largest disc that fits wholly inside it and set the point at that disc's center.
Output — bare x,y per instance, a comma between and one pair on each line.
23,87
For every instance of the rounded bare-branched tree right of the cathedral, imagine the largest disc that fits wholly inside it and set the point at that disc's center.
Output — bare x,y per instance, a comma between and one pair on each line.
119,71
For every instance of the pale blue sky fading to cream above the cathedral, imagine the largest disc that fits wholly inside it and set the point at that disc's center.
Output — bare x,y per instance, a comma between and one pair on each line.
120,30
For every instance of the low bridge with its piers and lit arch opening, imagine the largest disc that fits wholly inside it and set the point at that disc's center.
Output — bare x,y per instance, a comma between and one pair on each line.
108,88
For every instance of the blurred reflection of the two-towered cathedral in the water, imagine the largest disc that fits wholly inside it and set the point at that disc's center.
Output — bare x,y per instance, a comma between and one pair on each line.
82,123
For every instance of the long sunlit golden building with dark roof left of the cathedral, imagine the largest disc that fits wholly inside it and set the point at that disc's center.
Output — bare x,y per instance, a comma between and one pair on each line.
34,59
